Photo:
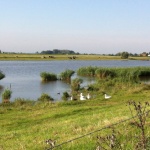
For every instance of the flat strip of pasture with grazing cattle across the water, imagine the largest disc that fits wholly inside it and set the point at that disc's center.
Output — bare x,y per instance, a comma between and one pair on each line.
62,57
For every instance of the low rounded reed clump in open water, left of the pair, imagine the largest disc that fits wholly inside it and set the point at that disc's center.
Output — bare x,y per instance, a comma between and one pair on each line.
48,76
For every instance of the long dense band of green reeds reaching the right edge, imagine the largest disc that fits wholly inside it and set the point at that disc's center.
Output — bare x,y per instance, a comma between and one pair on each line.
122,74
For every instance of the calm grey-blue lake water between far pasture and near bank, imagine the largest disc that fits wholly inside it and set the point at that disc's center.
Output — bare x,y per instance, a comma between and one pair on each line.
24,76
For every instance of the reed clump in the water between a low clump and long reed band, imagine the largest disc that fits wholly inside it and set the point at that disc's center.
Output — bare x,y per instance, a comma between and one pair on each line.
66,75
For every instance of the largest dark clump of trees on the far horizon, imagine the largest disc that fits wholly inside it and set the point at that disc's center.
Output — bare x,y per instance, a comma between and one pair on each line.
57,51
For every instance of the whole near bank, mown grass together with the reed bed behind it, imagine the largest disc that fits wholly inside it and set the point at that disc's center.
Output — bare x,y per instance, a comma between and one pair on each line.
27,124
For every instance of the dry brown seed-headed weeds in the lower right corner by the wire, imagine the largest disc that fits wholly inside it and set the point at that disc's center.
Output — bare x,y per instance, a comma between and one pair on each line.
140,114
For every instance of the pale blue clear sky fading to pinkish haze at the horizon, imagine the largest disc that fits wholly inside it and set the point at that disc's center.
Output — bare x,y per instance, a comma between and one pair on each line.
84,26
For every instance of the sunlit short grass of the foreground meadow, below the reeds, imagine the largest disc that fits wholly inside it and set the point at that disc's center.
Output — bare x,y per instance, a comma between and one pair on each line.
27,125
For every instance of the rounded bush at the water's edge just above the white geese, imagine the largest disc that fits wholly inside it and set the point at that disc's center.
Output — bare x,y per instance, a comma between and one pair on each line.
75,84
